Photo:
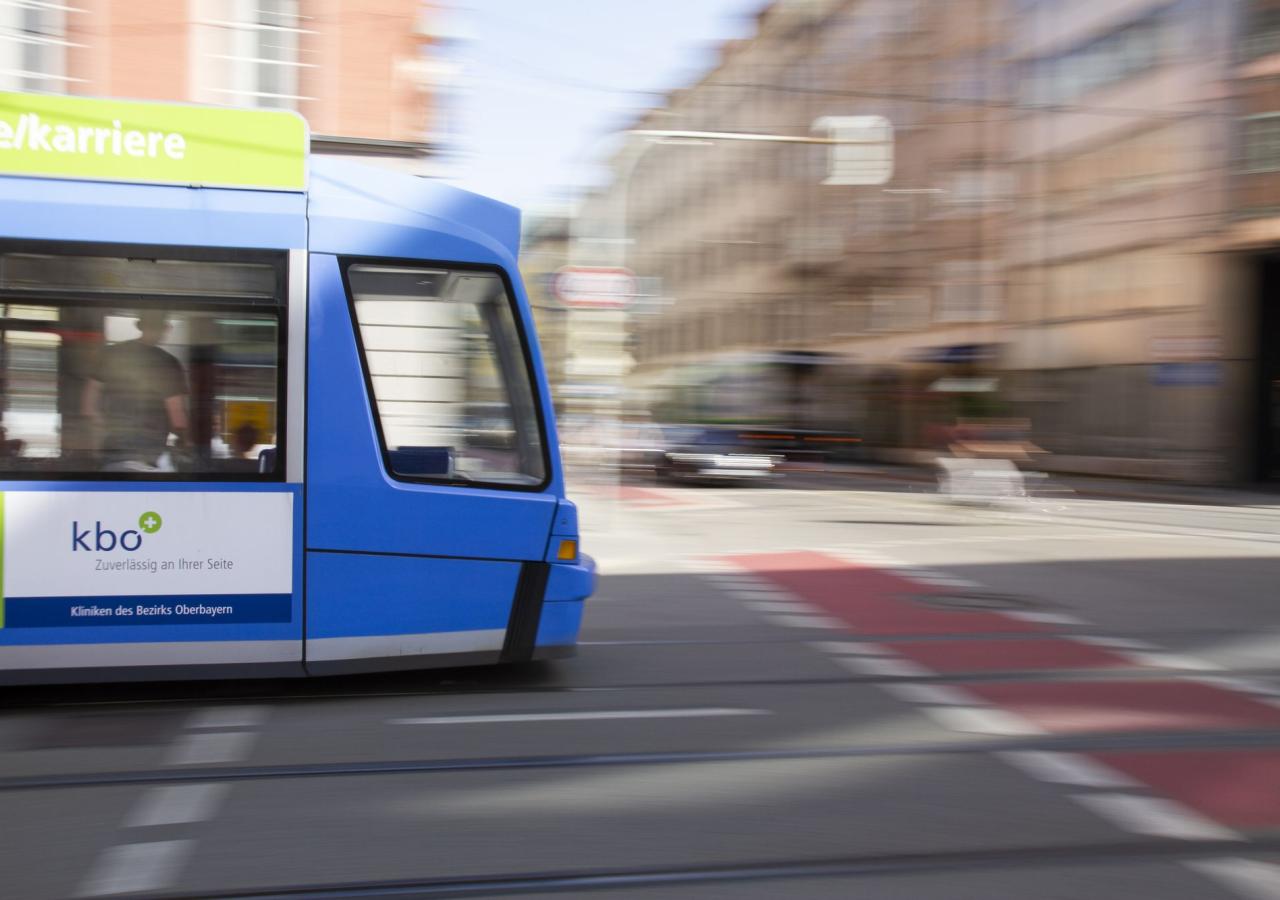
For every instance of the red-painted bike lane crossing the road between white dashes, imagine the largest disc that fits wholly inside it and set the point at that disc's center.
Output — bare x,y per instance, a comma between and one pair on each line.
1053,679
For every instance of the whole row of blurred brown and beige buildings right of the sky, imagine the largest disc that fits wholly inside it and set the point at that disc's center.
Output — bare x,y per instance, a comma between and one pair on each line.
1078,232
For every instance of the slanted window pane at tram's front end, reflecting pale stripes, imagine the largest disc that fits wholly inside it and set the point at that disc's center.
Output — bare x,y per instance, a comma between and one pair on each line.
450,374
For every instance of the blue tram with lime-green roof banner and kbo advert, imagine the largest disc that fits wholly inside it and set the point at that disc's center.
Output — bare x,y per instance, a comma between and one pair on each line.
264,413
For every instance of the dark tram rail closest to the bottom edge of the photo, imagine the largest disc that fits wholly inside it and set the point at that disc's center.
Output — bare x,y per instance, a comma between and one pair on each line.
900,865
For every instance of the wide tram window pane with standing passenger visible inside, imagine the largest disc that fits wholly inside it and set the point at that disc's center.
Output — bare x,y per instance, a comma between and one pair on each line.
111,368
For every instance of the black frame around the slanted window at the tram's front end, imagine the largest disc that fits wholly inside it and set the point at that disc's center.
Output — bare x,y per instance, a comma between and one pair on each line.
523,333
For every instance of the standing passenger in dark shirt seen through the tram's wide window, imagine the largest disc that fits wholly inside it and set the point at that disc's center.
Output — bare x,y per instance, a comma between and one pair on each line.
138,398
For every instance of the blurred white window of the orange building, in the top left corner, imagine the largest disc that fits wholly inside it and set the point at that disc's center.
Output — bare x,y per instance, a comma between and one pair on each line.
33,45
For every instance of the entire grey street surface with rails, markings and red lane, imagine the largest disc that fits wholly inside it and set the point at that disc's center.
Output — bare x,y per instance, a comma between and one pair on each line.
828,689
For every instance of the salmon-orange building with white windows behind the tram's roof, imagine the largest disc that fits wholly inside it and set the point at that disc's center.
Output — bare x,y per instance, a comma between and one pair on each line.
363,72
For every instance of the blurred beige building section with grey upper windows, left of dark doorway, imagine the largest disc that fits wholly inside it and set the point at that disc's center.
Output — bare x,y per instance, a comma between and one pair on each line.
1118,303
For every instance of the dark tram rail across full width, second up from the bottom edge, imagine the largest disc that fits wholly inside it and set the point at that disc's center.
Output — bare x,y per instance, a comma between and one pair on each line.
1094,743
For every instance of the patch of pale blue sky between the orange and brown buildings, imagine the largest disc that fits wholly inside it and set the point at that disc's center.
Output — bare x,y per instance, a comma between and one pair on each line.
545,84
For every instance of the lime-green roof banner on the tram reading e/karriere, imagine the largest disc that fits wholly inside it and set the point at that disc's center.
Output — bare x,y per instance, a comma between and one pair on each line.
56,136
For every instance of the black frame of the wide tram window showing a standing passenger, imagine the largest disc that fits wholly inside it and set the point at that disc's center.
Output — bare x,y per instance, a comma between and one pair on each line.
175,303
